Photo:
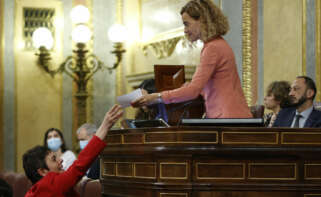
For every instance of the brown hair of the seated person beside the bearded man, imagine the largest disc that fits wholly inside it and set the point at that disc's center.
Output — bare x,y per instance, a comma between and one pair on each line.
280,91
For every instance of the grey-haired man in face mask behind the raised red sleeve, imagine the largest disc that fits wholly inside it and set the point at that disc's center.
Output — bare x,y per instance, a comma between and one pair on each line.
84,134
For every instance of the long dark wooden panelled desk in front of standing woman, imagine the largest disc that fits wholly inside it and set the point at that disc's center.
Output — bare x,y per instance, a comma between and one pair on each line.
212,162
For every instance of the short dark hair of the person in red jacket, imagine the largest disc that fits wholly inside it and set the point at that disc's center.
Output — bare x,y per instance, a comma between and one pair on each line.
33,160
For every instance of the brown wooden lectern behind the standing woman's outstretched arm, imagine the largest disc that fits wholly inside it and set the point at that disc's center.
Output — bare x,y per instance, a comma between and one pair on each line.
168,77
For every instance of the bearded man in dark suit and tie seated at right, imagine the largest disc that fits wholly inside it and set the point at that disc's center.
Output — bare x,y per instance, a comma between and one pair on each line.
302,113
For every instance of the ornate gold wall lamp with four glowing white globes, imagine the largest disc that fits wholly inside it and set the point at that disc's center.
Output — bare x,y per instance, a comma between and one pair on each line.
81,66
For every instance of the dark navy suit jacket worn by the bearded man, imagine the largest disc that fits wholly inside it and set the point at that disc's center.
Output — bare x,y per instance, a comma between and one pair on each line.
286,115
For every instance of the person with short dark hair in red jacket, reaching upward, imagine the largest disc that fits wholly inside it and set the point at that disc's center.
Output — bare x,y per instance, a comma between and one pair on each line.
45,170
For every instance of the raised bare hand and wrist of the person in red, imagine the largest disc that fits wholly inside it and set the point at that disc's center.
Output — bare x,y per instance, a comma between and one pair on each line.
110,119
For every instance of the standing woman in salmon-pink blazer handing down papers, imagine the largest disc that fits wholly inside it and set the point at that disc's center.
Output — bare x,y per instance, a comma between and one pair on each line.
216,77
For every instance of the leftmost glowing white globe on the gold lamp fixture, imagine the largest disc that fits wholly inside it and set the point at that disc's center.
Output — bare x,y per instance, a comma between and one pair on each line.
42,37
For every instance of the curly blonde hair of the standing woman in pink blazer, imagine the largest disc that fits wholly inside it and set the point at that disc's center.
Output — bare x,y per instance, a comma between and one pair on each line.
213,21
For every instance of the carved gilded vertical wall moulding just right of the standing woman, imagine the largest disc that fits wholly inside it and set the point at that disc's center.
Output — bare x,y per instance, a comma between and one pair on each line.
246,51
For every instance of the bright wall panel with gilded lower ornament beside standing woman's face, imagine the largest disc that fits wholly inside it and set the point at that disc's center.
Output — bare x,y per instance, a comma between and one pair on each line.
161,28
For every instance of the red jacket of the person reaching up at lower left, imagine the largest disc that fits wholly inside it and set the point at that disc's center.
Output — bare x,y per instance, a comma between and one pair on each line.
62,184
